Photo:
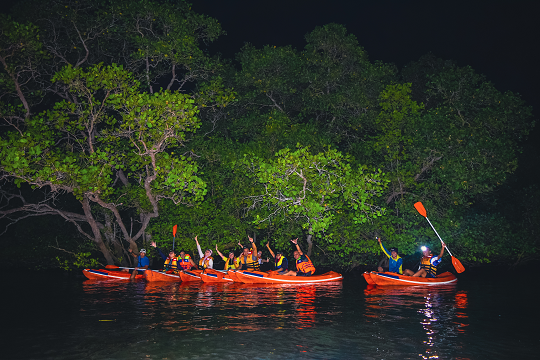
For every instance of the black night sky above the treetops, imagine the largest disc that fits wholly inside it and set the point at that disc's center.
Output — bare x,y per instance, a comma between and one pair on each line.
497,38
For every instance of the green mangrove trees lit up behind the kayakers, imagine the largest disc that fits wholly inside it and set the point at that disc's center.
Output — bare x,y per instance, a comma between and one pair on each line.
118,123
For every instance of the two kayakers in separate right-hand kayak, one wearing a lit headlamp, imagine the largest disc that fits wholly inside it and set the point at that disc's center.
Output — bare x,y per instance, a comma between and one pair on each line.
428,263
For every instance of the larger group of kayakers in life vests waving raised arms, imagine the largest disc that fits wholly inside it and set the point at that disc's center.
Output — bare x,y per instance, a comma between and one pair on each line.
249,259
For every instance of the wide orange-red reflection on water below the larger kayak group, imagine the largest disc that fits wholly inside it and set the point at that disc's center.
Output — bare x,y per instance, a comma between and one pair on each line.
206,306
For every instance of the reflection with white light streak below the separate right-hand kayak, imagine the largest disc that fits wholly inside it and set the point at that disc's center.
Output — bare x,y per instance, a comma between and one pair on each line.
443,311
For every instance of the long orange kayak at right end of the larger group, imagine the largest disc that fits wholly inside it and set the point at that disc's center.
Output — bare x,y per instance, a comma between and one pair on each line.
253,277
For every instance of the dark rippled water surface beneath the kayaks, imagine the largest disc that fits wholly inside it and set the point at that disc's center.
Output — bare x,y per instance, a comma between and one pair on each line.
63,317
